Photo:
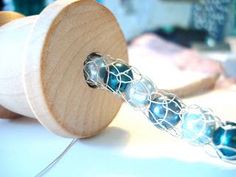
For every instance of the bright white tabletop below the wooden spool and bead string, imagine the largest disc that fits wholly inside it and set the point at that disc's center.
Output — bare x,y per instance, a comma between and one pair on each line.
129,147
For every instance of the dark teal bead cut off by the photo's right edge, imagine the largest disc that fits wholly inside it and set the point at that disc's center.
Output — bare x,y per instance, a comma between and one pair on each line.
224,138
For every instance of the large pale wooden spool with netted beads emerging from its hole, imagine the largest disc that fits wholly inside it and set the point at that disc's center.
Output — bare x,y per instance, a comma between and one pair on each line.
41,66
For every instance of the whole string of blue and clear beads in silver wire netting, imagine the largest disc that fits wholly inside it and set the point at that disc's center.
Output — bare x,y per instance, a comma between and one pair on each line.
166,111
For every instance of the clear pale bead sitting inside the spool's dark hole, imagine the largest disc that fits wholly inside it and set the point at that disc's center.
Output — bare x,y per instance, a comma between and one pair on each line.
95,70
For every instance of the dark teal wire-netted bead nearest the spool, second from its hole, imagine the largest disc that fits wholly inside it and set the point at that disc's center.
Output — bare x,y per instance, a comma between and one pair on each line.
118,77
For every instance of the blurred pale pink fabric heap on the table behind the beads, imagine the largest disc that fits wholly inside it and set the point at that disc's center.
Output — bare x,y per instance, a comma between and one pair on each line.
172,61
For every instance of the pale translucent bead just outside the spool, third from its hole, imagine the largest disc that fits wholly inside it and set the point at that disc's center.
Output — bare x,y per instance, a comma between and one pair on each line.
138,93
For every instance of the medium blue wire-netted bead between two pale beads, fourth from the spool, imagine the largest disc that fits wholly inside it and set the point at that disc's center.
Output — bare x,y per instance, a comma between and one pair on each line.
165,112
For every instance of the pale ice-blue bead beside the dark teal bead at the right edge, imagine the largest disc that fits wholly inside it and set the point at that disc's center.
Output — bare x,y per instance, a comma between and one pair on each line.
198,125
